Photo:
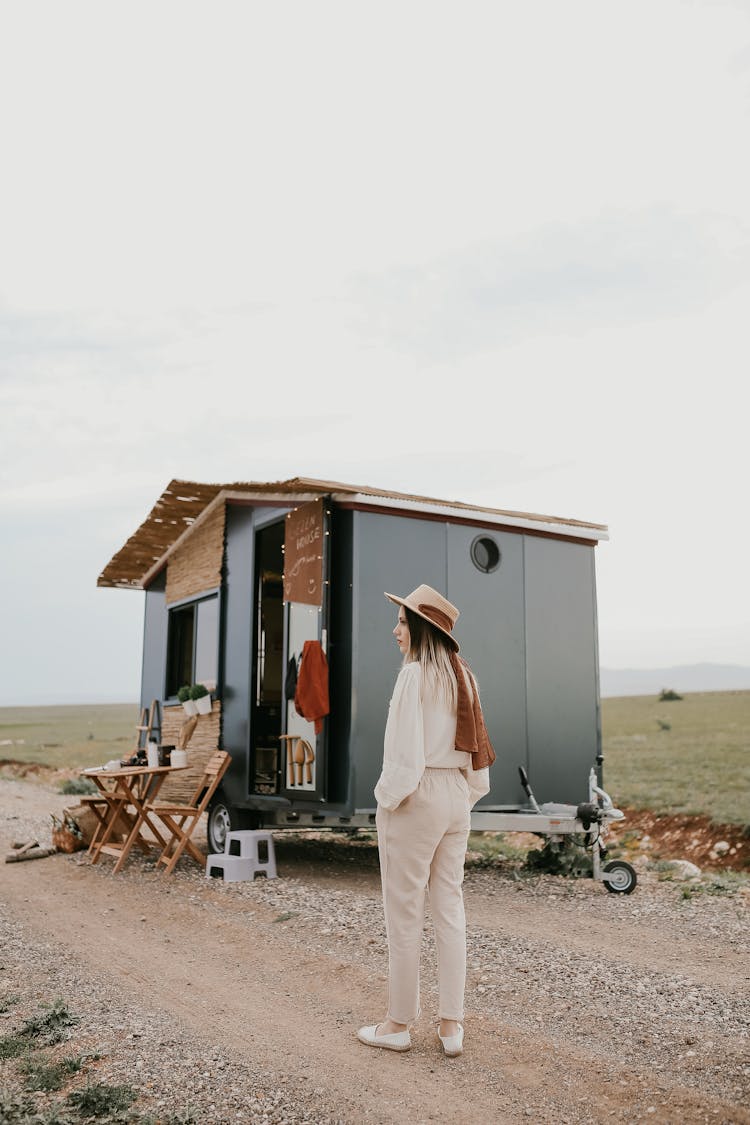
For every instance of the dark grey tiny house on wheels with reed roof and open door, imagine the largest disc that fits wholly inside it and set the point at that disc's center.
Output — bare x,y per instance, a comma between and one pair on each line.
241,580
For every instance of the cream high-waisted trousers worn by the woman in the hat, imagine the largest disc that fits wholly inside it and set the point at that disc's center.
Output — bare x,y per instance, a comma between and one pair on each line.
422,847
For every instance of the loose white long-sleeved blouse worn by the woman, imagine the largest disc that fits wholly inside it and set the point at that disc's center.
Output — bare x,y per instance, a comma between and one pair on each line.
420,734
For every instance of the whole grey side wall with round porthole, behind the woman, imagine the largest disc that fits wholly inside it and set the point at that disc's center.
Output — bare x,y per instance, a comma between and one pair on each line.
528,631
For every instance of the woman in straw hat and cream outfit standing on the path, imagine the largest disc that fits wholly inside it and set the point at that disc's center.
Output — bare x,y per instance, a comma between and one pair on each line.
436,769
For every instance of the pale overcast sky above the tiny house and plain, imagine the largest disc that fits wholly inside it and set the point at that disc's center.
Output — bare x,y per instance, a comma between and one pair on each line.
496,253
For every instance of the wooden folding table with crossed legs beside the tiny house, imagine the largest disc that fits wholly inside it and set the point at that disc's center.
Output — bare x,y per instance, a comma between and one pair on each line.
125,795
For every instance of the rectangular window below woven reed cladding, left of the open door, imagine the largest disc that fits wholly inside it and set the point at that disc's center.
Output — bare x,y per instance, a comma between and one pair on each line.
193,644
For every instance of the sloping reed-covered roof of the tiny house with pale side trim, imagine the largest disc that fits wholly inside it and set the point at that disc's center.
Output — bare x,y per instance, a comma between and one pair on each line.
186,503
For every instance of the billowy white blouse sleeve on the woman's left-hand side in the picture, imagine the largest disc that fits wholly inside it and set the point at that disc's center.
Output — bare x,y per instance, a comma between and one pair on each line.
404,757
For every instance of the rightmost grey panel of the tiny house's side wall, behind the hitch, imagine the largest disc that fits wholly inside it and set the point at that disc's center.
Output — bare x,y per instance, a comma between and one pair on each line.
562,669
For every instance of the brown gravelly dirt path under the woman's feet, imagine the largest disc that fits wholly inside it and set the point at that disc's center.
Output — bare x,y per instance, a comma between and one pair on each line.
582,1006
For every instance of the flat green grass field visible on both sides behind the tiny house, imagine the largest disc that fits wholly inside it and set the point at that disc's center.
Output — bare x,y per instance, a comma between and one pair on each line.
688,757
